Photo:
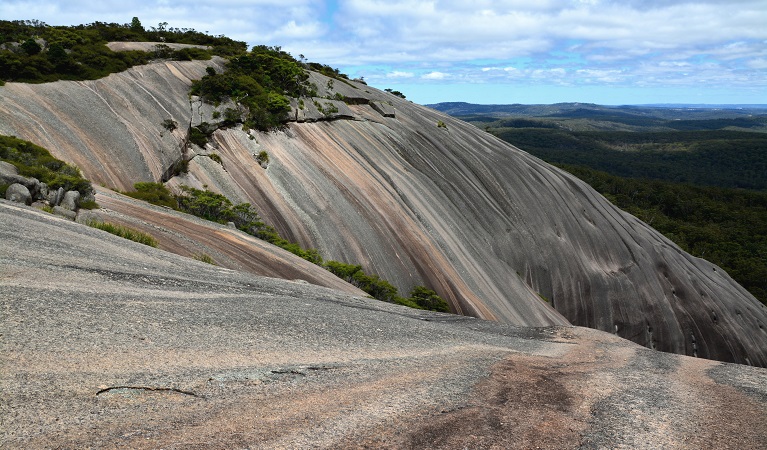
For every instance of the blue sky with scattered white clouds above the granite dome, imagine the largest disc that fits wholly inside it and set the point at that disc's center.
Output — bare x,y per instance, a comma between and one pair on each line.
487,51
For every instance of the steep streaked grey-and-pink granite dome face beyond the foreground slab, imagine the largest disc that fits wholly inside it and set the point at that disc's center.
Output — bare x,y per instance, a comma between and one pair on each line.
414,196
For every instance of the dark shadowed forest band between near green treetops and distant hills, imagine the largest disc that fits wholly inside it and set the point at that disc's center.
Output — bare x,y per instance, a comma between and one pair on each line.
722,158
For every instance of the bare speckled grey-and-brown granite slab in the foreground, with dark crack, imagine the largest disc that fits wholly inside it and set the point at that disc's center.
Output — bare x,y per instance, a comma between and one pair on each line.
107,343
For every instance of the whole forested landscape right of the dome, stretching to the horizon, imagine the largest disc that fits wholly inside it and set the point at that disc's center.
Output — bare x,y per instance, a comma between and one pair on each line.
697,175
